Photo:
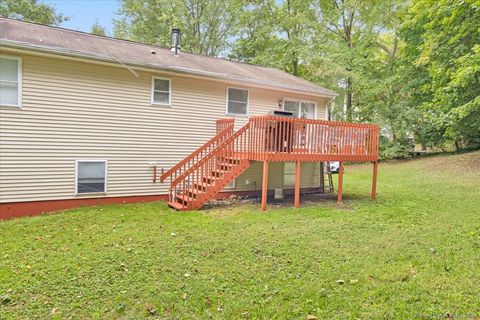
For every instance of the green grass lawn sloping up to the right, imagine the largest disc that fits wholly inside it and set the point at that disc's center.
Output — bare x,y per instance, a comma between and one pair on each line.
414,253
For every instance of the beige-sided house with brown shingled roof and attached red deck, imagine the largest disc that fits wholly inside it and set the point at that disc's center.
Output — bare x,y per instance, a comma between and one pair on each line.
86,119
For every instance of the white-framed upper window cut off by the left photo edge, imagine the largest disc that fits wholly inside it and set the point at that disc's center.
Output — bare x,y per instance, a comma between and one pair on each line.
10,81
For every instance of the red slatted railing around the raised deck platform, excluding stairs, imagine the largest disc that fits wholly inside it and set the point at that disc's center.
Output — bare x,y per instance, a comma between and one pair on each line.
274,138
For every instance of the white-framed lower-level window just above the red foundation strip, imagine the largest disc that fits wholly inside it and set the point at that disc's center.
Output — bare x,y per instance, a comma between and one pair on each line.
91,176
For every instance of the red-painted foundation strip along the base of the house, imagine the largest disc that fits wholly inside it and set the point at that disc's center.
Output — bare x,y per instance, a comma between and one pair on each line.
33,208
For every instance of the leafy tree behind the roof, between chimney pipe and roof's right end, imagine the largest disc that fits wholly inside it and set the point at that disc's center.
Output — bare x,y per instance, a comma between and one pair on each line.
276,34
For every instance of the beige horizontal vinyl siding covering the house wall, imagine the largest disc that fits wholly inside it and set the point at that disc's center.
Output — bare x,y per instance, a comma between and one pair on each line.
77,110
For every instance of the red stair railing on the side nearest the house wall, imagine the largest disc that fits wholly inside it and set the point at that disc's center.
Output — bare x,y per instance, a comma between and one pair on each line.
217,139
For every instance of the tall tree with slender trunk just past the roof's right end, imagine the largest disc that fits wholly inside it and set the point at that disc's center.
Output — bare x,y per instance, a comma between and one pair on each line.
348,35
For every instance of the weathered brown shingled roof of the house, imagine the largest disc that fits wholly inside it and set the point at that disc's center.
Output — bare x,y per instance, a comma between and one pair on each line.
30,36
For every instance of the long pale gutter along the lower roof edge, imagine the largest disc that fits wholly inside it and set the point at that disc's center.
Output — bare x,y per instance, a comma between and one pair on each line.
186,71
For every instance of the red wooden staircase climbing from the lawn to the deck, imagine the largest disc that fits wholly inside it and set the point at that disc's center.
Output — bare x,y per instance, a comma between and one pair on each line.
203,174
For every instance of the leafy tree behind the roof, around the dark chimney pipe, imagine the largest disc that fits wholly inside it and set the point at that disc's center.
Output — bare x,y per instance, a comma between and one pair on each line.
207,25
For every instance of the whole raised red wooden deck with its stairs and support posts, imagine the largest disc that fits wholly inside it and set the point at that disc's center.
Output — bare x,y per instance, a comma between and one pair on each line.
205,172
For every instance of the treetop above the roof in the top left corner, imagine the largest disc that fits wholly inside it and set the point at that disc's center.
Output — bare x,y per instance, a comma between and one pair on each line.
32,11
